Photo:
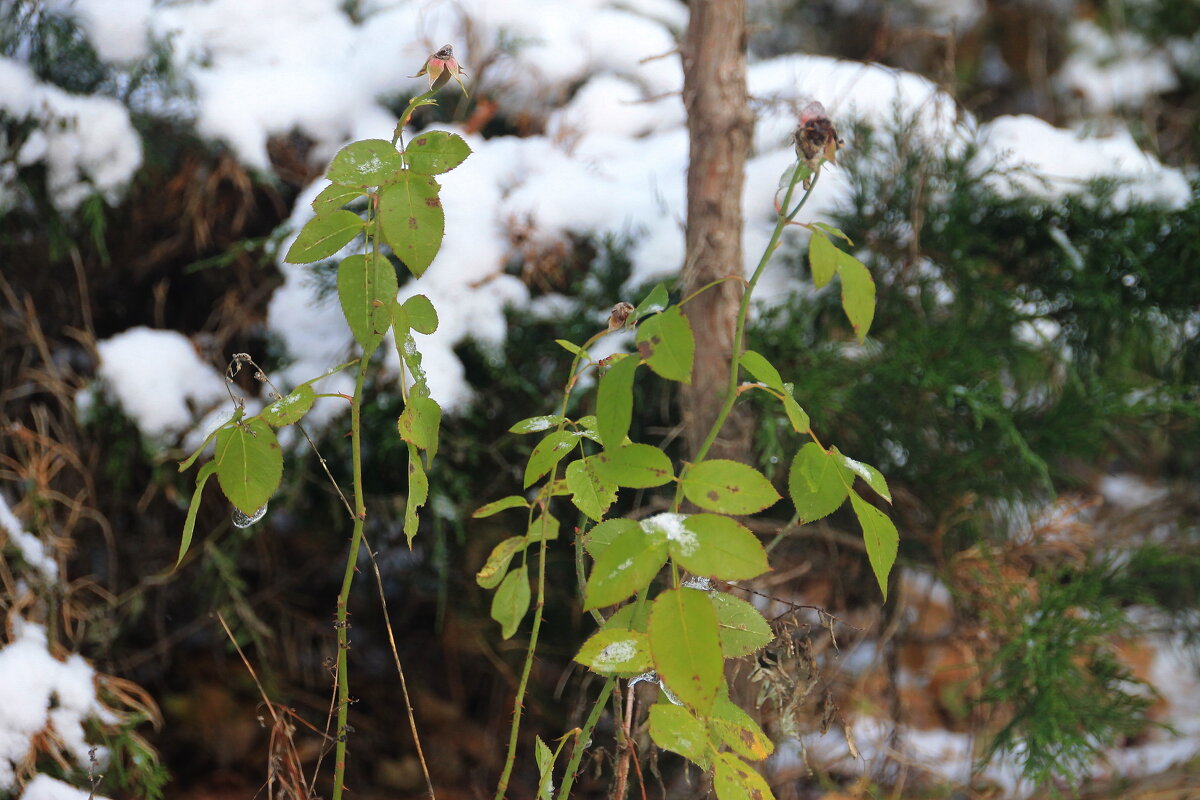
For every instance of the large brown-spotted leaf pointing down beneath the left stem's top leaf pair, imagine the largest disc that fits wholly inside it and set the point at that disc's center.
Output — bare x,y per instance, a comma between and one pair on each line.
412,220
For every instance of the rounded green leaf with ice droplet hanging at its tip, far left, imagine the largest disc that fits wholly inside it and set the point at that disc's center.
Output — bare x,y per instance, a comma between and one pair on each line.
250,465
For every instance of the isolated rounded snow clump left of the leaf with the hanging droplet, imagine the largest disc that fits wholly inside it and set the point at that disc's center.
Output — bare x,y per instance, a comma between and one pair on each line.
159,380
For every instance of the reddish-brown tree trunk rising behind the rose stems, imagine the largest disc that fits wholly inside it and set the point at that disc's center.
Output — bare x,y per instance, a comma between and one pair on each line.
719,127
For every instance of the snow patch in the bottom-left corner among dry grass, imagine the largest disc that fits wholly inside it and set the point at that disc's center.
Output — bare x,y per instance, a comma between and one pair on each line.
38,691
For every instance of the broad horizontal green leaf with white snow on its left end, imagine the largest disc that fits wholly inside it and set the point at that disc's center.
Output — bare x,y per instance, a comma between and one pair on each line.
718,548
